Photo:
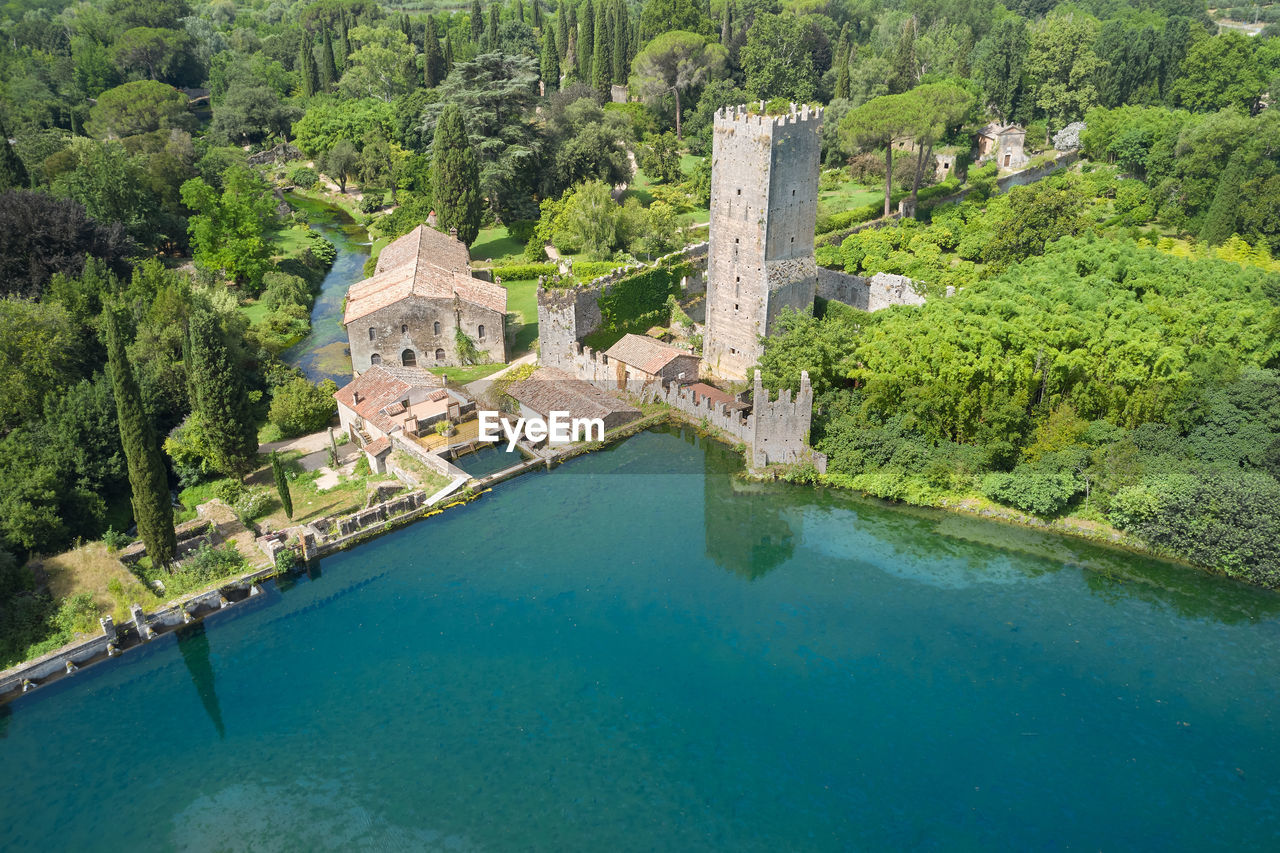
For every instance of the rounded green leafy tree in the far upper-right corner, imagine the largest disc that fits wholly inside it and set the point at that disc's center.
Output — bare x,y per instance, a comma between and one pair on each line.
1220,72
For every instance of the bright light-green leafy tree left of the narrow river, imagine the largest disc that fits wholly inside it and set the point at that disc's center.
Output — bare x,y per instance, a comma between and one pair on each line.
227,232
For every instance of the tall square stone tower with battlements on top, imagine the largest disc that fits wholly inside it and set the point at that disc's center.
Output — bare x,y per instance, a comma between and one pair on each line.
765,202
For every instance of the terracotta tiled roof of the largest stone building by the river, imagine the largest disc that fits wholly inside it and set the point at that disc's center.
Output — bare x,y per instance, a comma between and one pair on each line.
423,263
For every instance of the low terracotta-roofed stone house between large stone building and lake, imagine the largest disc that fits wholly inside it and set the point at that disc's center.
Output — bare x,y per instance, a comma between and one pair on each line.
390,400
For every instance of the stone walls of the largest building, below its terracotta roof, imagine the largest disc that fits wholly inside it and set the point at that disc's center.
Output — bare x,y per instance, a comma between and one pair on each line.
410,325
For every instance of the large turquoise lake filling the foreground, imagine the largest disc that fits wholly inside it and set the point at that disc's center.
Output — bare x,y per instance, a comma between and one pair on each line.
636,653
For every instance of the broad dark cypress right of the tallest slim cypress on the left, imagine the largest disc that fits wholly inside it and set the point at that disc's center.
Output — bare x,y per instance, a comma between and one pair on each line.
218,398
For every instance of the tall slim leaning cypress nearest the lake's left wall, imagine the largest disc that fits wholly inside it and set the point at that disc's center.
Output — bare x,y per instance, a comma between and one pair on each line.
153,509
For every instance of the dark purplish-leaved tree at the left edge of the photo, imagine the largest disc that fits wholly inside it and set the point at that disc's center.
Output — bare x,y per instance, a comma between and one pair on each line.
42,236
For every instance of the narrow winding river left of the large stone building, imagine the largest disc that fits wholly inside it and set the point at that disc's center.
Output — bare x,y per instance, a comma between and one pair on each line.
324,353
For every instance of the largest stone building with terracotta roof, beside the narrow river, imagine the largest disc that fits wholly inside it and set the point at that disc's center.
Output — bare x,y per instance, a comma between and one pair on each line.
420,298
